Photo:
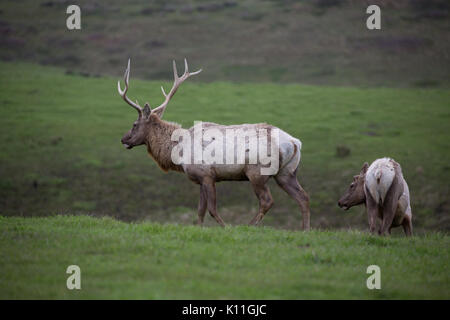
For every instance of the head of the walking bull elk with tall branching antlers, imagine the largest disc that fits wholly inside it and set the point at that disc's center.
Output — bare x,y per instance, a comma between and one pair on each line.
138,134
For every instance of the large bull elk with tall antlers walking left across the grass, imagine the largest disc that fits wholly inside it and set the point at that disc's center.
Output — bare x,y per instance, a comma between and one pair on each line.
157,134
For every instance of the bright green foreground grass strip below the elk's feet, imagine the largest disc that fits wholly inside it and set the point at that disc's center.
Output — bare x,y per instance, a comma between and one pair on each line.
153,261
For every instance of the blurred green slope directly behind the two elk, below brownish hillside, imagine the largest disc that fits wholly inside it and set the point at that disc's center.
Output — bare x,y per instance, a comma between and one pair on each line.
61,148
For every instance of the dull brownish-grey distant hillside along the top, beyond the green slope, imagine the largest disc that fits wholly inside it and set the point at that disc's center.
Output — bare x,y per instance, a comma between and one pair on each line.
308,41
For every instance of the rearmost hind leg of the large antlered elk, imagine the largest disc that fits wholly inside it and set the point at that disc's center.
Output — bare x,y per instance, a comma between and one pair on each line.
292,187
